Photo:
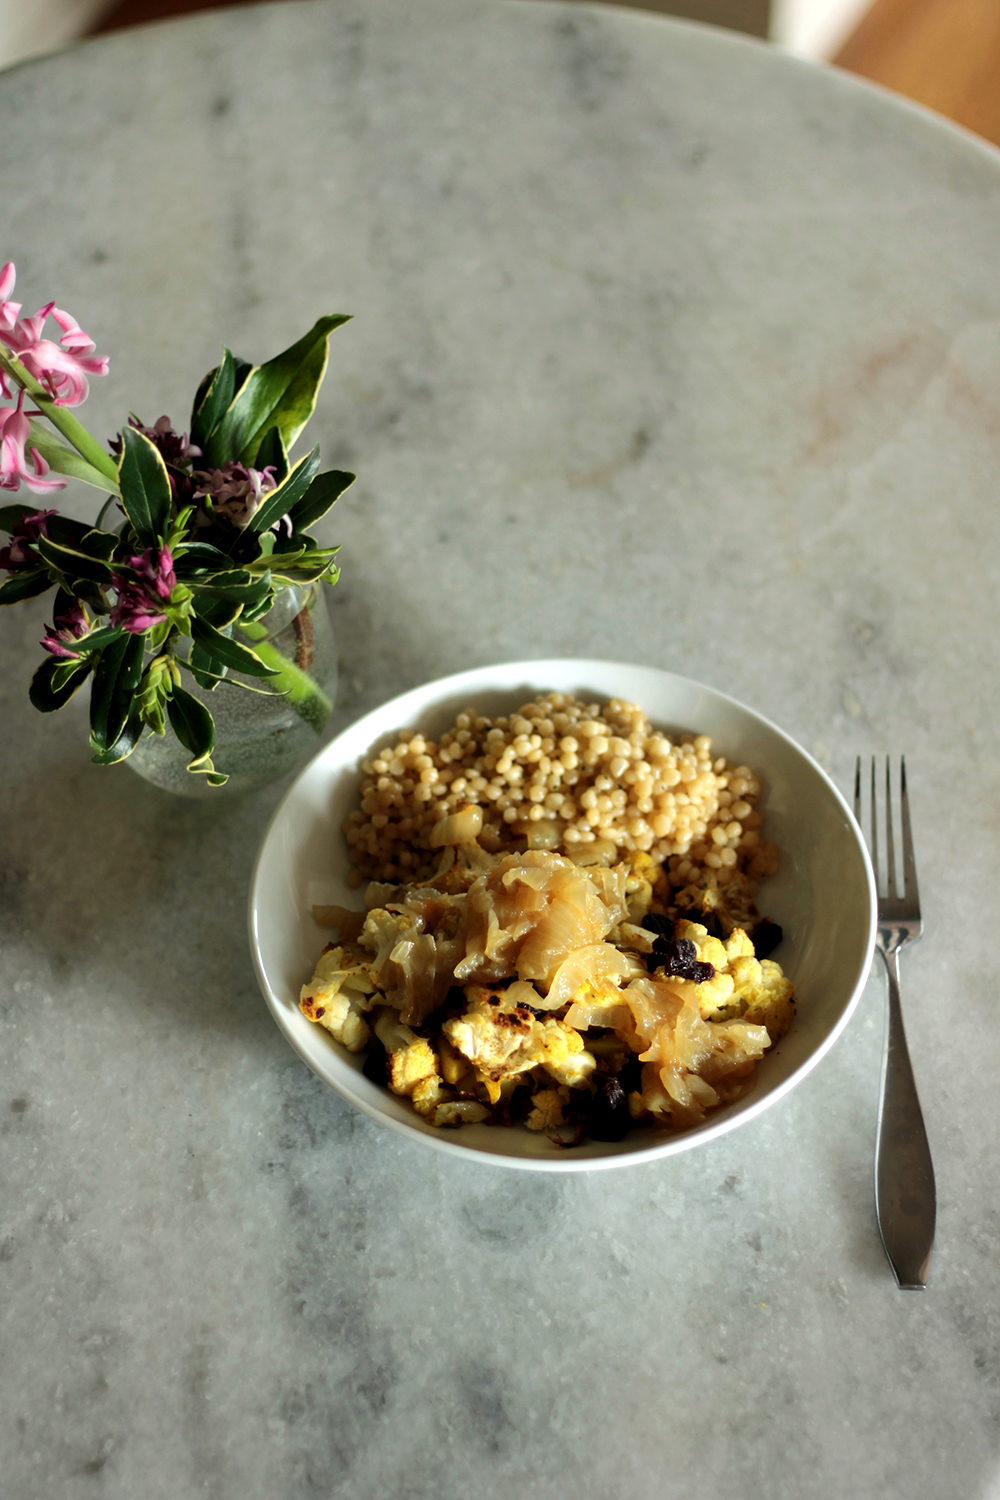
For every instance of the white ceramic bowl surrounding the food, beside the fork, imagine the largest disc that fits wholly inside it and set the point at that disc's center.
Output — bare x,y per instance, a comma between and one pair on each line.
824,895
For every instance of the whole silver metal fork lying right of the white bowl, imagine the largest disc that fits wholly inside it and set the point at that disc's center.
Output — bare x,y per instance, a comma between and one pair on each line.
905,1174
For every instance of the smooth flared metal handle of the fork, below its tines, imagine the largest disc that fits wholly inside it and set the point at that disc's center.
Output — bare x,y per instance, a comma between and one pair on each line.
905,1174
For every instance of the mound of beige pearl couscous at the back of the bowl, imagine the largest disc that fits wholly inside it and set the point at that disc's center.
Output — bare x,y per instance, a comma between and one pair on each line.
560,775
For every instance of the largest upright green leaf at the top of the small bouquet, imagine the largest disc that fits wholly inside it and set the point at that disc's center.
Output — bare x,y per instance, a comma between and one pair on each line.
281,394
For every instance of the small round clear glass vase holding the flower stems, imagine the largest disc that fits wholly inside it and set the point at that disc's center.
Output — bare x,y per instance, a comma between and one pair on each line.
263,725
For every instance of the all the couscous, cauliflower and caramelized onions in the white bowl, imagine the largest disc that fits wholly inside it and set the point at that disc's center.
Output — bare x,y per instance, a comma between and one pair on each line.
561,928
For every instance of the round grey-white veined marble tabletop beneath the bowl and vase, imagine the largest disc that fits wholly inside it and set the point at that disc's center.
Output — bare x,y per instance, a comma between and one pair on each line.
666,349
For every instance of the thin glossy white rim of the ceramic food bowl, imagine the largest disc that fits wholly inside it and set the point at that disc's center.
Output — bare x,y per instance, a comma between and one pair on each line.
451,1144
